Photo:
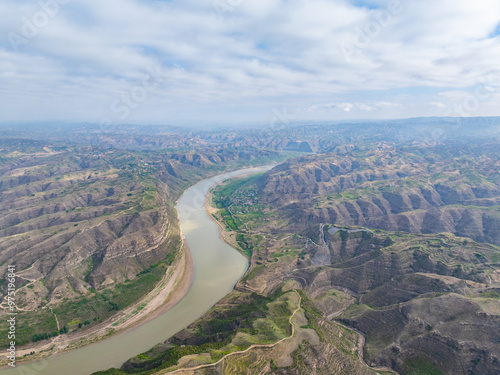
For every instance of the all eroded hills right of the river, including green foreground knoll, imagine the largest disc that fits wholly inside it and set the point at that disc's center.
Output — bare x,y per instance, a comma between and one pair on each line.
393,249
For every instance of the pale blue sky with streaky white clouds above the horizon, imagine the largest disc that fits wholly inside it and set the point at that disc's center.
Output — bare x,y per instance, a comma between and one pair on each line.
241,61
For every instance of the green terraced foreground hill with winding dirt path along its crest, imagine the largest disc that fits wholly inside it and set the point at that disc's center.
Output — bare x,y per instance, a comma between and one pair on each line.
271,350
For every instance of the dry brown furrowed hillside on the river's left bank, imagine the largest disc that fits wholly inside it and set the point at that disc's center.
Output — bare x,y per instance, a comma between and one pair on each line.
71,222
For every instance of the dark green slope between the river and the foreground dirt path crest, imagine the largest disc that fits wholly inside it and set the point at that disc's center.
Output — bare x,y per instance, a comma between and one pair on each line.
238,321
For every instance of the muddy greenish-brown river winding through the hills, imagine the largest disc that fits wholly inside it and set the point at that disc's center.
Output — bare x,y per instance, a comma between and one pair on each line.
217,269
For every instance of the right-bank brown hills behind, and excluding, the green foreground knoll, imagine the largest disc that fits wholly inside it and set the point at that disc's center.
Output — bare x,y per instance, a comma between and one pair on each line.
398,243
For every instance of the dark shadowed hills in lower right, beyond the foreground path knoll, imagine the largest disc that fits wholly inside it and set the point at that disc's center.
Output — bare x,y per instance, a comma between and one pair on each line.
418,298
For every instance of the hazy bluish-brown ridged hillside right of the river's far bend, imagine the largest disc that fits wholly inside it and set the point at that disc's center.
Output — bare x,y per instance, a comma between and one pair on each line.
390,191
